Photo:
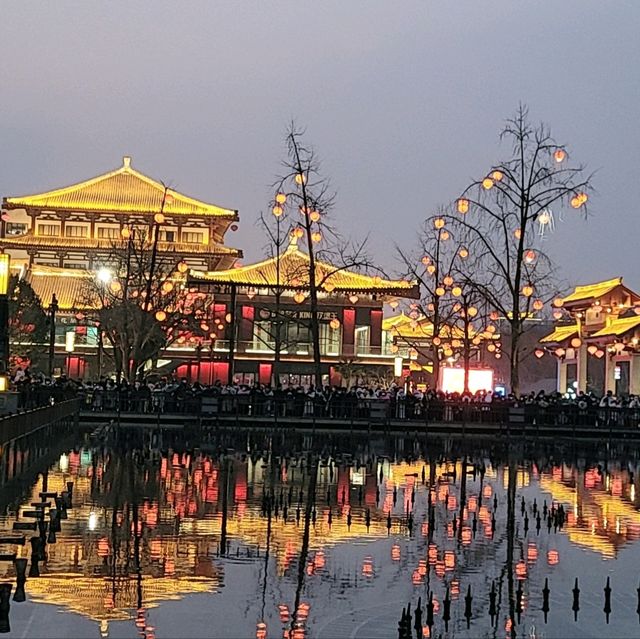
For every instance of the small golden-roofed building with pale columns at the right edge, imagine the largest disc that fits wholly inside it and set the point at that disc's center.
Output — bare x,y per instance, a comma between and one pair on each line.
597,339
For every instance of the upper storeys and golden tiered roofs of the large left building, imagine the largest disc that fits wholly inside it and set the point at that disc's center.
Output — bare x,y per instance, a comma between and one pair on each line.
76,227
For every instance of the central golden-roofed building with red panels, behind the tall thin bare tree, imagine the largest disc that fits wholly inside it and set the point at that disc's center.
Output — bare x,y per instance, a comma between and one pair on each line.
256,297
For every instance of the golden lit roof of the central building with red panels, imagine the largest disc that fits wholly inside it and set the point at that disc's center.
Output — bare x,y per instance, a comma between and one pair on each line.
294,275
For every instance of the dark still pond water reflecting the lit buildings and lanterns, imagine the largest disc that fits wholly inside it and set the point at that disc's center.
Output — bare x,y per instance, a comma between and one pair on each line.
142,552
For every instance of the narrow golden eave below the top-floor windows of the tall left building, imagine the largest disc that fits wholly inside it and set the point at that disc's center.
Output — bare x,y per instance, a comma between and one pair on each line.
49,241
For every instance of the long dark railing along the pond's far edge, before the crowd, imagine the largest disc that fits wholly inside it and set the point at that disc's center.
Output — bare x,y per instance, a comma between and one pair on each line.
348,408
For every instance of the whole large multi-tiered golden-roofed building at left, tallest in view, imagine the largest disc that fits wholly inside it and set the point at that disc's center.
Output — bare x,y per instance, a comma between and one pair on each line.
61,238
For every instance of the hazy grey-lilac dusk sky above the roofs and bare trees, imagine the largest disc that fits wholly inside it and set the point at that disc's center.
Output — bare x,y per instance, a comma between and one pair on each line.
402,101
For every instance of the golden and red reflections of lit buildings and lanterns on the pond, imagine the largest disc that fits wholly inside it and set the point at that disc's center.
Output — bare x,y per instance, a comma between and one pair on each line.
150,526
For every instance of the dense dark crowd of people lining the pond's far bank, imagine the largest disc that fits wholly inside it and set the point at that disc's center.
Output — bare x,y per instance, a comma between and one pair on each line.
172,395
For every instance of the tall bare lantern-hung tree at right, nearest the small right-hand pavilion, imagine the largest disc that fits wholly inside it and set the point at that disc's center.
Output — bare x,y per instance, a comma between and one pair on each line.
505,215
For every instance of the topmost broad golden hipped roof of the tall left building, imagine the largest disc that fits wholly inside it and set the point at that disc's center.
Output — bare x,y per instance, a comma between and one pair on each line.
123,190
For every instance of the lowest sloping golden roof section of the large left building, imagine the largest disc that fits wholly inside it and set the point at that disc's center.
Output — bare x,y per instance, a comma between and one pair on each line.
69,285
